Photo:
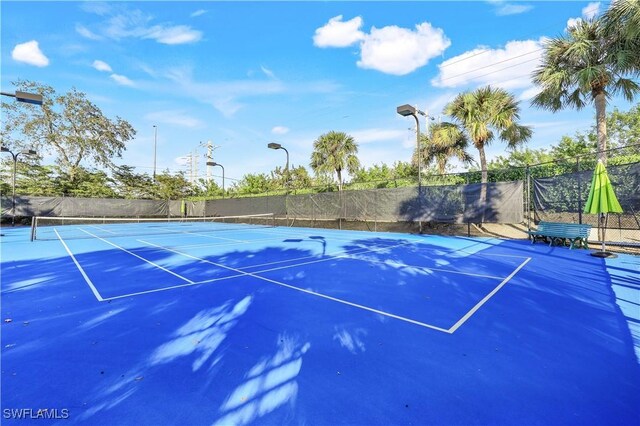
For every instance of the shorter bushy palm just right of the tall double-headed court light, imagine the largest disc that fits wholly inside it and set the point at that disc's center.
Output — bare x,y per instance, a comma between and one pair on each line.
444,142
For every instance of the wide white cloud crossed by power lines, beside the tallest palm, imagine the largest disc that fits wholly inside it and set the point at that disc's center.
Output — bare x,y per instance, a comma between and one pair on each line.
509,67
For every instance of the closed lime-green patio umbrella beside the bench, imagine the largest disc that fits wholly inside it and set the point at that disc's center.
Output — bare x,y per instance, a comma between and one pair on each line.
602,201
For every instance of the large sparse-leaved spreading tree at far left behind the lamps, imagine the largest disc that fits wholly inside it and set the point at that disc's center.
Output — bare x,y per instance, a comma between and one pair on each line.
69,125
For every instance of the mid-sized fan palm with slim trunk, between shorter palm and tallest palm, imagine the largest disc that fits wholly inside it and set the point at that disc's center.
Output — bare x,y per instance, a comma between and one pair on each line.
486,113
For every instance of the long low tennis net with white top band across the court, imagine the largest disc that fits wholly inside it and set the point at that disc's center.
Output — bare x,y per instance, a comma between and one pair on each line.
51,228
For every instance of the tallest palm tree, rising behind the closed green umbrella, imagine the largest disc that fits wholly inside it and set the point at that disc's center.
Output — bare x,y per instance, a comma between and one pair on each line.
583,67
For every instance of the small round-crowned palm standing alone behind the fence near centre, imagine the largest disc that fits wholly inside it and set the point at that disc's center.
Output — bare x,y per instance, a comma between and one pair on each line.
335,152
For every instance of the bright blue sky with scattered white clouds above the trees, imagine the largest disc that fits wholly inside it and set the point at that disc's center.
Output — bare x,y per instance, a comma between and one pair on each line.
242,74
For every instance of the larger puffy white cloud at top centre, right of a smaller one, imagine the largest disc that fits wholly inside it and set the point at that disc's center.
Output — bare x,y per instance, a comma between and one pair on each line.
399,51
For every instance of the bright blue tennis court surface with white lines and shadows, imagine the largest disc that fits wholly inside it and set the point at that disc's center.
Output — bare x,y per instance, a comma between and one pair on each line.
311,326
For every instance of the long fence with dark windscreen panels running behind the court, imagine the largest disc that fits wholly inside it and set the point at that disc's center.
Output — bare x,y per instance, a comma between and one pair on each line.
519,197
